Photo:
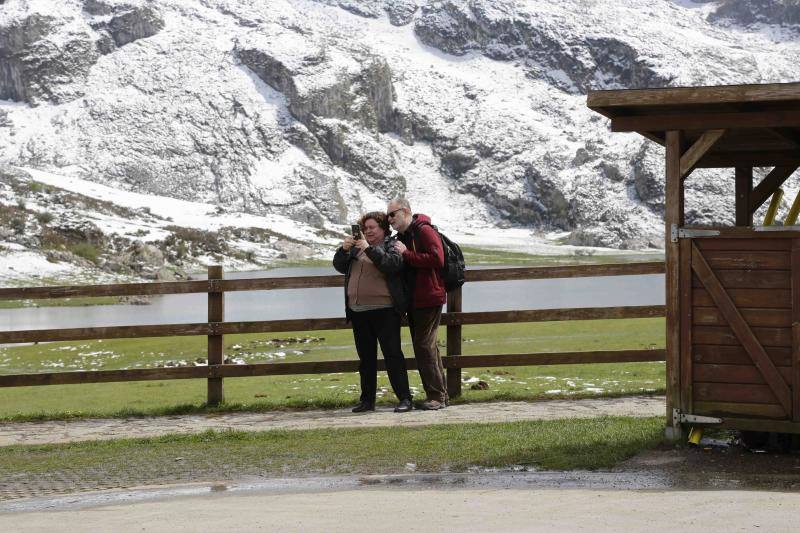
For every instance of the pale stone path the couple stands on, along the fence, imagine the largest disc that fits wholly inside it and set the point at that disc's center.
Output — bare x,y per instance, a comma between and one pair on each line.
117,428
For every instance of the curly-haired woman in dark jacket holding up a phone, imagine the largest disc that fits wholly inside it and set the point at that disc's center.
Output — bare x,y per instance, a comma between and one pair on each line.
375,301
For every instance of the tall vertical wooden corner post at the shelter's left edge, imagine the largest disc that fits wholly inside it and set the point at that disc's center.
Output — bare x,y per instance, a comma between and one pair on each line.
674,217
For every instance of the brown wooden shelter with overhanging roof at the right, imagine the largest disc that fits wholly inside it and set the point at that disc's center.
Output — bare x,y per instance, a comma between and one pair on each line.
732,293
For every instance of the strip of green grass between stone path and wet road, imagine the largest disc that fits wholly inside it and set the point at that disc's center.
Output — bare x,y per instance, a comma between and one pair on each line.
553,445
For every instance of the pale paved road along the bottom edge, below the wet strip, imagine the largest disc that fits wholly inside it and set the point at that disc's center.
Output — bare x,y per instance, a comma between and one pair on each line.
436,509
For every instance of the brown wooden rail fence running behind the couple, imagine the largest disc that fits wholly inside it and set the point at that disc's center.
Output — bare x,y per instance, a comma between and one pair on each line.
216,327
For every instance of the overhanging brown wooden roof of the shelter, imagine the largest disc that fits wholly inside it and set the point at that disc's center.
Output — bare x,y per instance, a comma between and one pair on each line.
758,125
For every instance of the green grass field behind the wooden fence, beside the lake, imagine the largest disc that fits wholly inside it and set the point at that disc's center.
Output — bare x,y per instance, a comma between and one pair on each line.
323,390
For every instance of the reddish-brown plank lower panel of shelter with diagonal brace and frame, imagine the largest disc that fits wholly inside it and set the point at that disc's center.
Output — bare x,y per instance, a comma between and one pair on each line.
738,349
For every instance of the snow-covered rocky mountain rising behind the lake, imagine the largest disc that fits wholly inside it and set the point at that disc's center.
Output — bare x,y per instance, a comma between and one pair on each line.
299,114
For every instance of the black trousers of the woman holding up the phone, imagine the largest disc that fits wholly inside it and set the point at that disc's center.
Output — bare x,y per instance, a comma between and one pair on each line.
370,328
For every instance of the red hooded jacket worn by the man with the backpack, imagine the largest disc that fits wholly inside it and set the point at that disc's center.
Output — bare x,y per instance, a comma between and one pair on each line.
425,256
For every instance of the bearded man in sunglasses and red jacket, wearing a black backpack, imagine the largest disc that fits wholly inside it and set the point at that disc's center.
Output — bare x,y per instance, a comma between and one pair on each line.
423,255
